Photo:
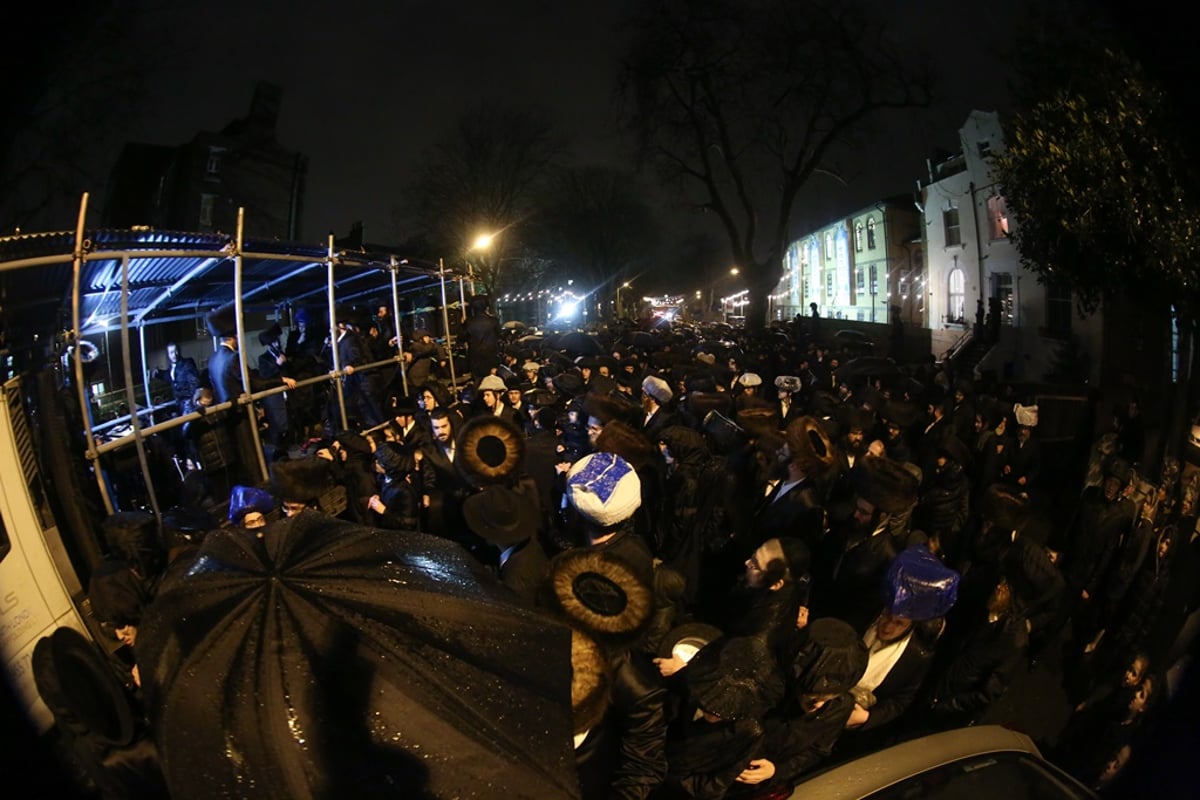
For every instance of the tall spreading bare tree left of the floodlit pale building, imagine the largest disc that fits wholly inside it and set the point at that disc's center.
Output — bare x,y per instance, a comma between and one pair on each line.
745,101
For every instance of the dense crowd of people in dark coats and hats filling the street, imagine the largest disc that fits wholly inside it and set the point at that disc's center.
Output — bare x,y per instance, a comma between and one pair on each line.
775,564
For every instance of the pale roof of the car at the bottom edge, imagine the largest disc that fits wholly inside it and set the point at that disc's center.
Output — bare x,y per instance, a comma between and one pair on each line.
863,777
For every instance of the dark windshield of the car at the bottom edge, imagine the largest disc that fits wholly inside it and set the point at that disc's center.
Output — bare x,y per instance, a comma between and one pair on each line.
1000,777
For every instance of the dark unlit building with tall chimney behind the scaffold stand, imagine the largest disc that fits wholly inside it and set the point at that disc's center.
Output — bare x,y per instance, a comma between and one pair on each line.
202,184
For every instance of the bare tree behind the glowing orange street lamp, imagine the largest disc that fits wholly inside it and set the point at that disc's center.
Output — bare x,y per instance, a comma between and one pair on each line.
482,178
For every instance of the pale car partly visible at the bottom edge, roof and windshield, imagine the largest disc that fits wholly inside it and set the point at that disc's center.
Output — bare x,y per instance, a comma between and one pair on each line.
976,763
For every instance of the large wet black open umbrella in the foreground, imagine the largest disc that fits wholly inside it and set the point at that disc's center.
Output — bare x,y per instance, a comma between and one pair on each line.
333,660
